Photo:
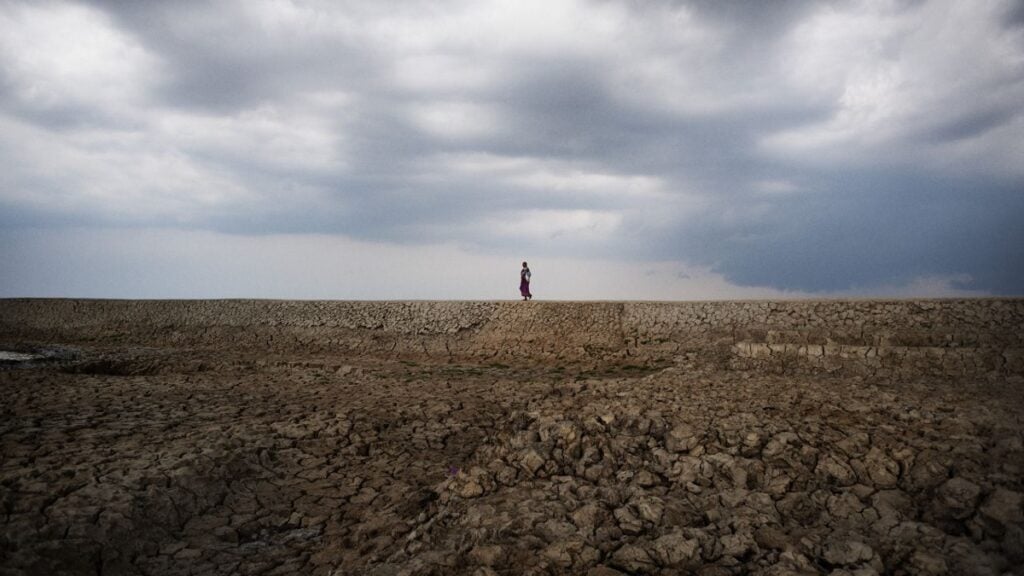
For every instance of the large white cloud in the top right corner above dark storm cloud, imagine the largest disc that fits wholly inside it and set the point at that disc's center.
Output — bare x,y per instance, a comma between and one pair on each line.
900,78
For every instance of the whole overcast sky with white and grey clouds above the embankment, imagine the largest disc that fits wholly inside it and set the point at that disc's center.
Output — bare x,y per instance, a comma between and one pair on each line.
628,150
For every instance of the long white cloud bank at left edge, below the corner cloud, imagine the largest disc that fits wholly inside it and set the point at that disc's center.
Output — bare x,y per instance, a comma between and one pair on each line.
175,167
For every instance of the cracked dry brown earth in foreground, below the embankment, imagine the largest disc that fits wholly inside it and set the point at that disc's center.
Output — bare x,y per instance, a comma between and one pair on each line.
176,463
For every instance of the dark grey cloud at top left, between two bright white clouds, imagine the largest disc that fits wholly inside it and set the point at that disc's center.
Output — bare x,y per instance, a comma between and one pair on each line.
217,61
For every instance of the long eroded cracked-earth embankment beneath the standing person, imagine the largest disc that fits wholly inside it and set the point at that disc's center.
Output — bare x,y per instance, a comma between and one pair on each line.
899,340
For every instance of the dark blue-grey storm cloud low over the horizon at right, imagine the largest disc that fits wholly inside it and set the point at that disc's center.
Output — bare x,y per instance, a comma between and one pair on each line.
876,230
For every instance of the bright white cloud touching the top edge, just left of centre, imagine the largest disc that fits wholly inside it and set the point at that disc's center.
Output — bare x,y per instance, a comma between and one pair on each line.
476,48
